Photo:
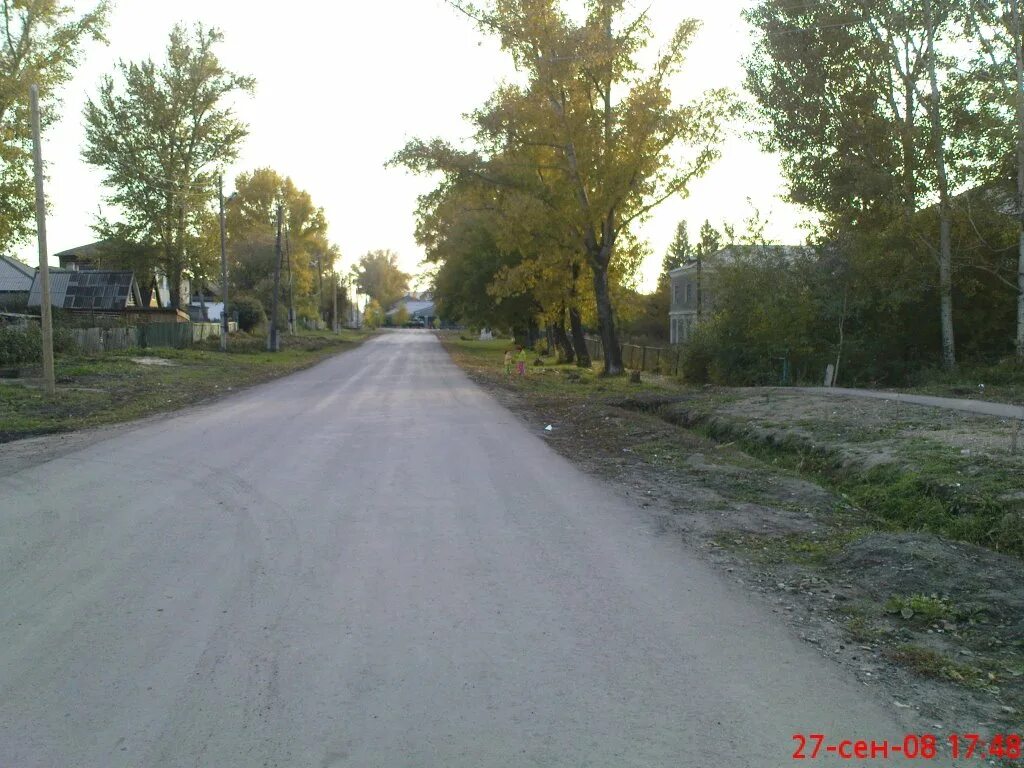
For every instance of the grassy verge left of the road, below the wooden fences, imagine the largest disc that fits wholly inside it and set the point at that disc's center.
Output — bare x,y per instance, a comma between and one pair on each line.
107,389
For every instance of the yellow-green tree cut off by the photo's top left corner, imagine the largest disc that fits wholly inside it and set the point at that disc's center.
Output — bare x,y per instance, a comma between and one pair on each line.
42,44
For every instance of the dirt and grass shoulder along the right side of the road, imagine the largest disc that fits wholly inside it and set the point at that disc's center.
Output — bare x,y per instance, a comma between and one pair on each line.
930,624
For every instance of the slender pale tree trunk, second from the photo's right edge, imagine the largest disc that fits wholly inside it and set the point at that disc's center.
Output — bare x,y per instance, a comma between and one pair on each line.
946,218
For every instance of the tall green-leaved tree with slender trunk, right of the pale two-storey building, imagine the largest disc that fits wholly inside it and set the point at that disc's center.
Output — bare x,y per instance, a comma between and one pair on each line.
863,142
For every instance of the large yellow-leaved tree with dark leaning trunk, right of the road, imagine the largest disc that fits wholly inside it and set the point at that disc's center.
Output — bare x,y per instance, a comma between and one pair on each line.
620,145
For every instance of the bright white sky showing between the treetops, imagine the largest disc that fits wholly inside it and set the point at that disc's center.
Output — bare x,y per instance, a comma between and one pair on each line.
343,86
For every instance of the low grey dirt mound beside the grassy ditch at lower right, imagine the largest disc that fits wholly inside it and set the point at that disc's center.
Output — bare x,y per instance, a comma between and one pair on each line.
977,581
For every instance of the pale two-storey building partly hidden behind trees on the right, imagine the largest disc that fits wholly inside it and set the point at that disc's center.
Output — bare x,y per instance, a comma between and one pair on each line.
694,288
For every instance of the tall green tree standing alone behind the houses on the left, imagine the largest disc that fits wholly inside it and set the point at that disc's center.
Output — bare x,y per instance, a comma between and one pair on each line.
161,133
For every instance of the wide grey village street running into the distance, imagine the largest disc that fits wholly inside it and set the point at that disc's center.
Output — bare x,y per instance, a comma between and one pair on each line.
372,564
